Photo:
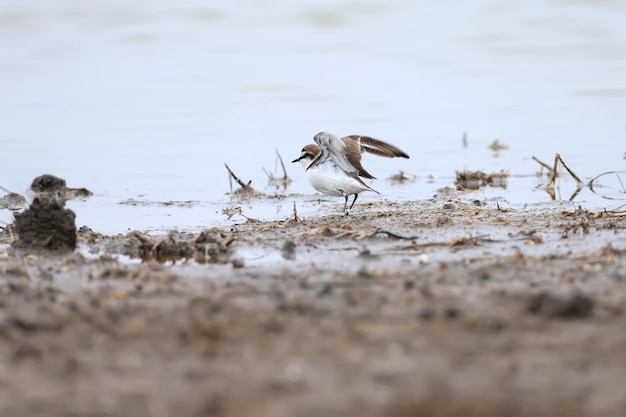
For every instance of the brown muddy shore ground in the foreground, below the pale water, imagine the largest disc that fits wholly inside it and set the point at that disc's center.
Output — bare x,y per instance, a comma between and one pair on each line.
446,307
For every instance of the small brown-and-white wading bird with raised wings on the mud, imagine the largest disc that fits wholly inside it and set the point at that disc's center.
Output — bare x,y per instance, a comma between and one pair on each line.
334,165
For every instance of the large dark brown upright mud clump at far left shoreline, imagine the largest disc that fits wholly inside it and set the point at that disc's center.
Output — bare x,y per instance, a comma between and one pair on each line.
46,225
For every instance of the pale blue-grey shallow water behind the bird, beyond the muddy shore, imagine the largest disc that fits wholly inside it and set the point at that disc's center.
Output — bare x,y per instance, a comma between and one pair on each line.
146,101
